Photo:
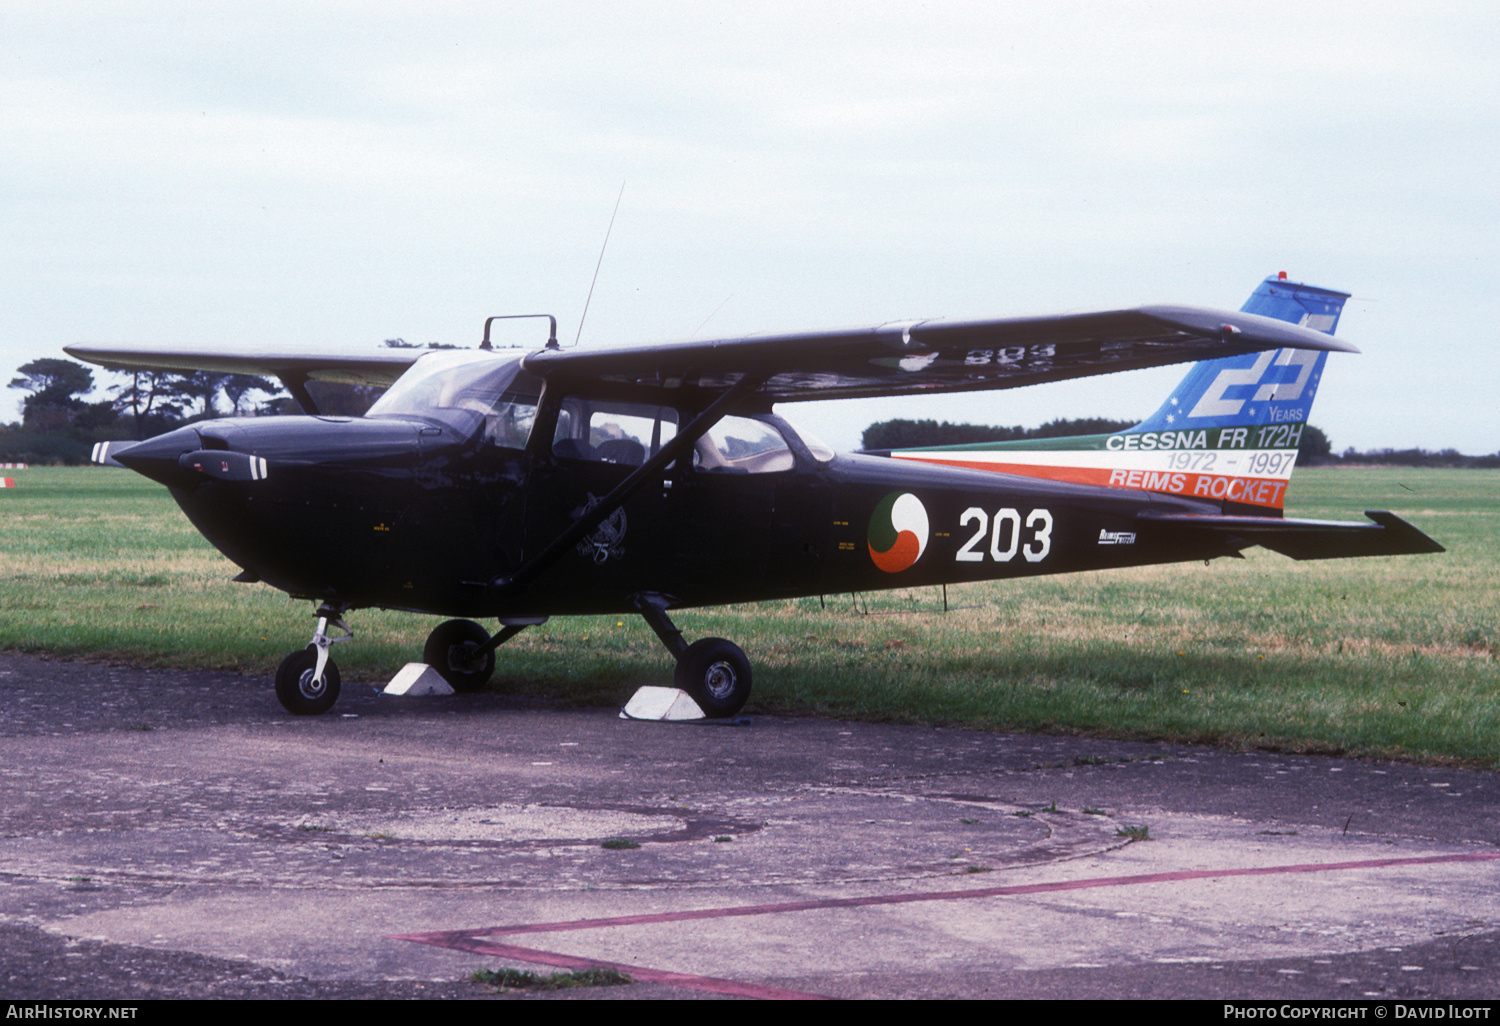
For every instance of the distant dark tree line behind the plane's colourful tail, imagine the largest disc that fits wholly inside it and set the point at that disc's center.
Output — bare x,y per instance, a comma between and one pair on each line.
1315,451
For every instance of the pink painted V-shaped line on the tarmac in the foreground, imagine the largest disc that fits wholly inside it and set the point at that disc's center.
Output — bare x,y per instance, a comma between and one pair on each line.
476,940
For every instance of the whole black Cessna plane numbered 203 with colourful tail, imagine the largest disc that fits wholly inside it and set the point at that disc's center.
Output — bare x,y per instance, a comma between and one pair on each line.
523,487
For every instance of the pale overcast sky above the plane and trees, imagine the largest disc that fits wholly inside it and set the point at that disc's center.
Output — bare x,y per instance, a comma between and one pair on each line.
334,175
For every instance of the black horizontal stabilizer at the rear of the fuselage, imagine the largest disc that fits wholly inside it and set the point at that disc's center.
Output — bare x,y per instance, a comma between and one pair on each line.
1309,539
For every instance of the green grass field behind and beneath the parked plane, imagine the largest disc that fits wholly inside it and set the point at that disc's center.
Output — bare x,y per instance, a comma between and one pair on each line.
1393,658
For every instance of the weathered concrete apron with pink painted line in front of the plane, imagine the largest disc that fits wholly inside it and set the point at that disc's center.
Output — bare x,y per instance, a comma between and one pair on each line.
422,839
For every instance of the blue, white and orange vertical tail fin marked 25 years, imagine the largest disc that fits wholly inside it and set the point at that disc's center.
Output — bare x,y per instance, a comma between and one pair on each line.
1229,433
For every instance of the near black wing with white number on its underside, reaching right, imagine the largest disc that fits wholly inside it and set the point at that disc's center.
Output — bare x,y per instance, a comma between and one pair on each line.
929,358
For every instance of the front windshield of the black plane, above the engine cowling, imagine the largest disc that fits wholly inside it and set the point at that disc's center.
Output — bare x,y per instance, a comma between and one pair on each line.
469,389
